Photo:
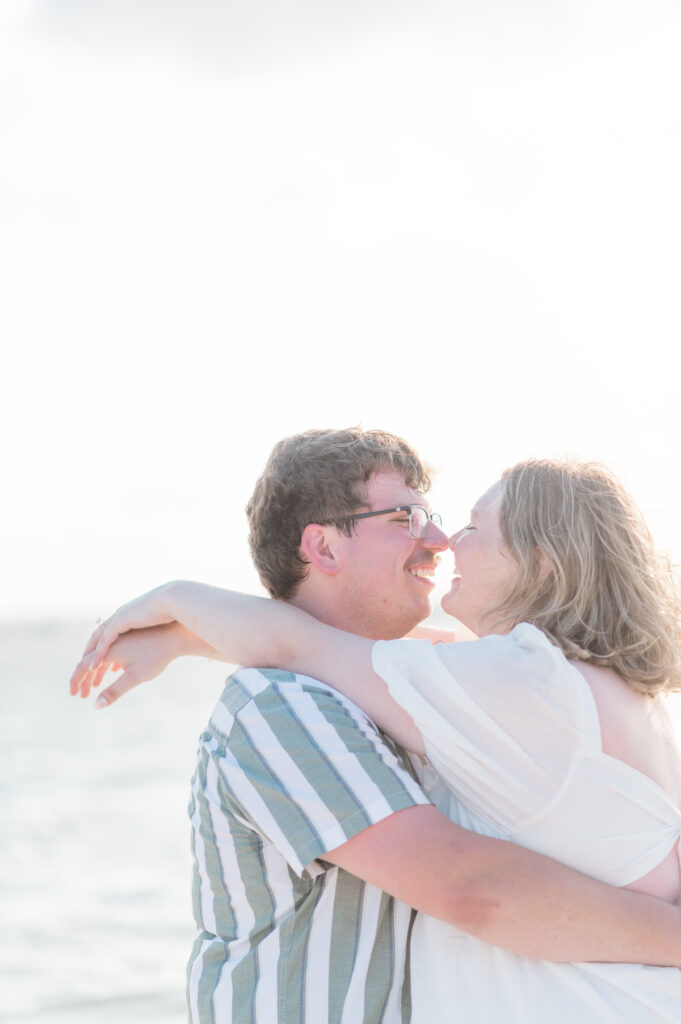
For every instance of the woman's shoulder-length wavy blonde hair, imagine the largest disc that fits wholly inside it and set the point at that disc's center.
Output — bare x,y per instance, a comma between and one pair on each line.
610,600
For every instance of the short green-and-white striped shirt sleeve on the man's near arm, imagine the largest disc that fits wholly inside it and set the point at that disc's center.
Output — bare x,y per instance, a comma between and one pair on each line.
309,771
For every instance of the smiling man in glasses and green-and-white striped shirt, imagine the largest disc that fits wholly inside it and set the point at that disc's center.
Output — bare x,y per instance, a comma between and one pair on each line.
305,818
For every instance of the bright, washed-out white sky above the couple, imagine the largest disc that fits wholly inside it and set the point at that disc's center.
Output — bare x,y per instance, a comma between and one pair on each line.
456,222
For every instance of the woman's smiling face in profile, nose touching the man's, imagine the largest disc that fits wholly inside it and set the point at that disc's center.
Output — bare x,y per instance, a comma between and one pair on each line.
485,571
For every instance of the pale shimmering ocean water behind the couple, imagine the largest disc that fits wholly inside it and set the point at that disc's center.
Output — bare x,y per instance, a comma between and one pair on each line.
96,920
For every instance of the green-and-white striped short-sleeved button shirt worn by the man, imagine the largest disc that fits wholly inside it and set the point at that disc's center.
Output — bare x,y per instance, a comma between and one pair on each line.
288,771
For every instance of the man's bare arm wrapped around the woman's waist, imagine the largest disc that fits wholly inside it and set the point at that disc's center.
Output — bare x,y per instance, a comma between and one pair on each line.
509,897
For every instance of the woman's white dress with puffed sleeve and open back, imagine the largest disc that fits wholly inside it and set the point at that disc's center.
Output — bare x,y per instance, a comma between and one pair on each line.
513,732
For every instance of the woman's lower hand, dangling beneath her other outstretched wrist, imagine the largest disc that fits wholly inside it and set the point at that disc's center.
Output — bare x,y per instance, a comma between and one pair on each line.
142,654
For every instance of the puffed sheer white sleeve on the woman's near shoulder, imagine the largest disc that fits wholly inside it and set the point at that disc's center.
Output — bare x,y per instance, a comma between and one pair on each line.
502,718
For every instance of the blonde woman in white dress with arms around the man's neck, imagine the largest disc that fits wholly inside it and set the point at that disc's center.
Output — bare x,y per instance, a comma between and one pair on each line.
550,731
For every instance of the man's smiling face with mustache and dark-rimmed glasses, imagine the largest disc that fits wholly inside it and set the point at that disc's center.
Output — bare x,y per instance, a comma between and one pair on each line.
387,577
